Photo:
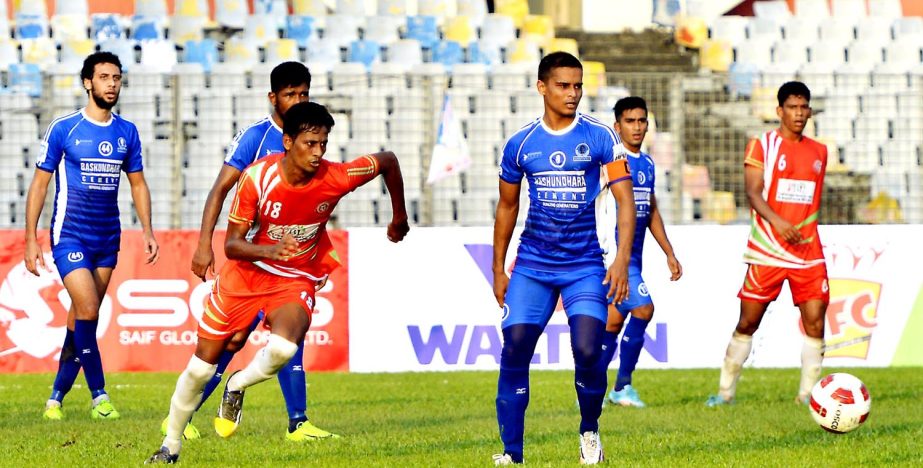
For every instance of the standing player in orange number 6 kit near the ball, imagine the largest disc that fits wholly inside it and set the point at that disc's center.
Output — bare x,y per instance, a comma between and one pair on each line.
784,177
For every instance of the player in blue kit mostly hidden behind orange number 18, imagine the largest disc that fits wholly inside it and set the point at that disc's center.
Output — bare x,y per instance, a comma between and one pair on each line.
290,84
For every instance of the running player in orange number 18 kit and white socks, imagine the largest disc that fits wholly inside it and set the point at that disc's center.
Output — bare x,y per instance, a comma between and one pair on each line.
278,249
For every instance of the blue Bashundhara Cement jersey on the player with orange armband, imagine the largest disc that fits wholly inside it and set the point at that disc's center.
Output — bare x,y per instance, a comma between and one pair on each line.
567,186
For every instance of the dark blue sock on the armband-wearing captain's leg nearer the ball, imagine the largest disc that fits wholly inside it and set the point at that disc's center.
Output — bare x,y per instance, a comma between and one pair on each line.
589,377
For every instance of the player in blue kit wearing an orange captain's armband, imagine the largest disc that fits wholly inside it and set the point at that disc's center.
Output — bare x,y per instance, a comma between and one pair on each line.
571,161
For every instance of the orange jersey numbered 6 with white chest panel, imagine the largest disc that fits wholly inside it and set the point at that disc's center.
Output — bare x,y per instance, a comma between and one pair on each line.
793,179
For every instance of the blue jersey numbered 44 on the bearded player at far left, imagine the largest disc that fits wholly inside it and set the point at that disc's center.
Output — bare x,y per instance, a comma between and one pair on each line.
87,183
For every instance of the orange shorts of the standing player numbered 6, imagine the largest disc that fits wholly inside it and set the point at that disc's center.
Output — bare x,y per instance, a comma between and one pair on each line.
763,283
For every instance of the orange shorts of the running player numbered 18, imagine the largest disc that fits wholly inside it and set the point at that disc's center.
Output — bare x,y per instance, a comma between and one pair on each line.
241,290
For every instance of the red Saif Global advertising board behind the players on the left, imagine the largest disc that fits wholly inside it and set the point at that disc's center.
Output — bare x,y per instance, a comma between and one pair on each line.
148,319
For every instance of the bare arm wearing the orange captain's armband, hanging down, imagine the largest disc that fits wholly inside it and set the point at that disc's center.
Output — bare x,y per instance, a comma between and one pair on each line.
623,192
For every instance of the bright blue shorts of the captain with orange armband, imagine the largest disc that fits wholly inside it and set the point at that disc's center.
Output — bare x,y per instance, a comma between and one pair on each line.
533,295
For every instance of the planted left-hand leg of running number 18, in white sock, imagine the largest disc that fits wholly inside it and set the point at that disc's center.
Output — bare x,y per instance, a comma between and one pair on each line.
187,395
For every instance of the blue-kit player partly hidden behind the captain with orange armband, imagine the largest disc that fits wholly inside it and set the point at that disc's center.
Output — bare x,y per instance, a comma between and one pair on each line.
631,125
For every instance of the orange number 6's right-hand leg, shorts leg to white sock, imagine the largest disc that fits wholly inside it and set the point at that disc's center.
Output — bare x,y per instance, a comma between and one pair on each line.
811,292
